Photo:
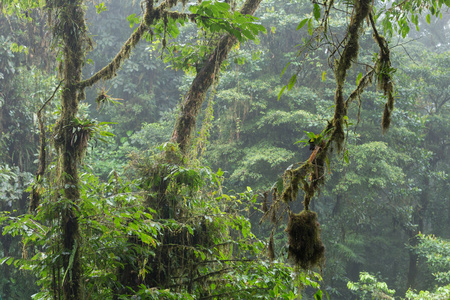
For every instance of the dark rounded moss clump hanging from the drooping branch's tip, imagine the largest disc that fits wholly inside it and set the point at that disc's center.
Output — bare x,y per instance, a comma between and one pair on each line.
306,249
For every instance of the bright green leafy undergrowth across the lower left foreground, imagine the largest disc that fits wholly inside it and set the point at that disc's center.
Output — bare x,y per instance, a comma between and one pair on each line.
118,229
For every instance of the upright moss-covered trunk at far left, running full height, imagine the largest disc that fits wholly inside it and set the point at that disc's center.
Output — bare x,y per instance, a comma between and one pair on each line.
72,30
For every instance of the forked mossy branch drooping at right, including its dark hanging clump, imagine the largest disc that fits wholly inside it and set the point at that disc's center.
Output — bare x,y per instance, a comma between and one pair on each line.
305,247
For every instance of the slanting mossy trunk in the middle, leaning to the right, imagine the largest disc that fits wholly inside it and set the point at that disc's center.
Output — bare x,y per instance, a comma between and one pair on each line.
193,100
